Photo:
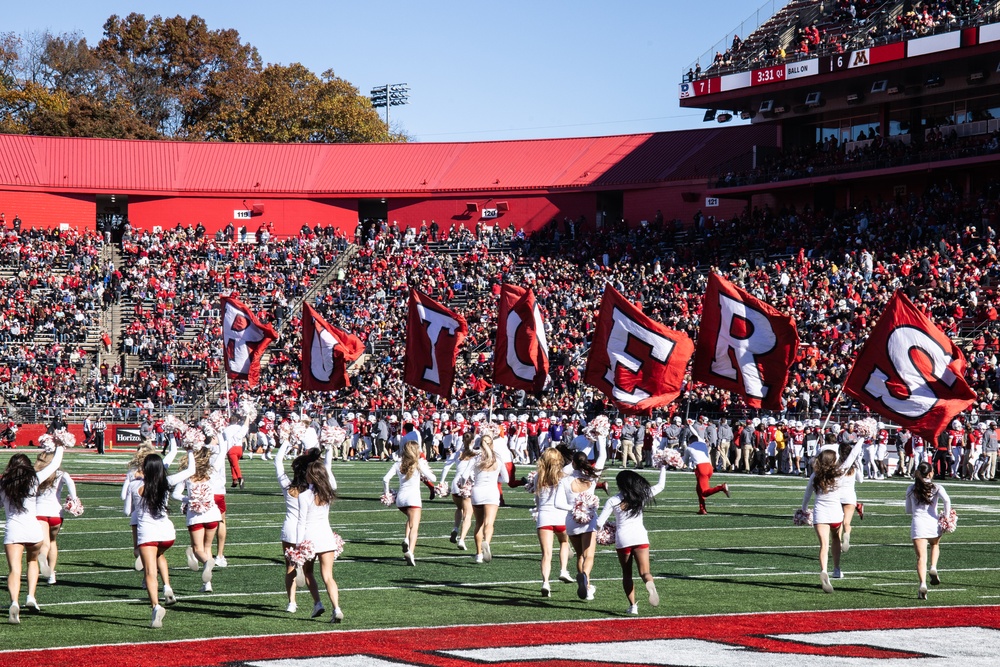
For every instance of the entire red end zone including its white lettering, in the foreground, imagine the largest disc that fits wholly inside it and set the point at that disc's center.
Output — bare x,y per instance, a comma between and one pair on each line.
924,636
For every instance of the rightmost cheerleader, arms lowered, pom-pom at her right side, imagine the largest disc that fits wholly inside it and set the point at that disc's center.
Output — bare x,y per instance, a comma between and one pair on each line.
923,500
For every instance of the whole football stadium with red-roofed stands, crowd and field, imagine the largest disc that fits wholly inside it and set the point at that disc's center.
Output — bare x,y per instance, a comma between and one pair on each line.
395,304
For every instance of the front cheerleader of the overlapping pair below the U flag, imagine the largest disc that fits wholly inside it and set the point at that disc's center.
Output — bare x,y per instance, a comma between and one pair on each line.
314,526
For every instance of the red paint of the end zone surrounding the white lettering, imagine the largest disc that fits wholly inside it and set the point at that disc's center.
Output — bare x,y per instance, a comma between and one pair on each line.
418,645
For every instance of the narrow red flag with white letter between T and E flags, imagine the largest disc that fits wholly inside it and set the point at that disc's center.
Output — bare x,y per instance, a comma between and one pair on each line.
521,358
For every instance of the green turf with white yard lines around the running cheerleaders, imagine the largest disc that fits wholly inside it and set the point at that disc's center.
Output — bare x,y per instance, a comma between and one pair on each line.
745,556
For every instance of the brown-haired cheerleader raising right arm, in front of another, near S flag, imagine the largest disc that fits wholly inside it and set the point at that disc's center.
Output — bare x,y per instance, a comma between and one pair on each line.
828,512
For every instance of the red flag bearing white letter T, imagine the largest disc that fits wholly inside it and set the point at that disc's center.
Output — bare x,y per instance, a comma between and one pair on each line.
433,334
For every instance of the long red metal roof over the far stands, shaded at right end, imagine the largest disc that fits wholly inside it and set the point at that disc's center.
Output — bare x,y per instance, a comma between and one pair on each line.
119,166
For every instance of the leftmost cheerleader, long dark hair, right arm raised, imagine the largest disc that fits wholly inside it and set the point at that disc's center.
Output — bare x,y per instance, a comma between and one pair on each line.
22,532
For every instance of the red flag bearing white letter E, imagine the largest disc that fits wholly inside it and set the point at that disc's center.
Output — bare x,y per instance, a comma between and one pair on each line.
636,362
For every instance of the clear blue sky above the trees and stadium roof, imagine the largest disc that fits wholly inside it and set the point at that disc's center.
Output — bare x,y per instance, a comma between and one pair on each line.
477,71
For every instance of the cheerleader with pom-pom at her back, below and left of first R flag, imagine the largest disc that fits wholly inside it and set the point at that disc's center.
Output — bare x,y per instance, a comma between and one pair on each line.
202,514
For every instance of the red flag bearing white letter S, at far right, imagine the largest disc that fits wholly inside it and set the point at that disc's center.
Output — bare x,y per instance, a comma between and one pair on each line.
910,372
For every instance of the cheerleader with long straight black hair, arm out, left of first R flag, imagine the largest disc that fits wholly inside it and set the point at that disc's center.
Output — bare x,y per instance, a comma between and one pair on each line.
155,531
